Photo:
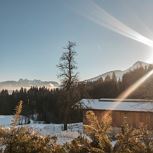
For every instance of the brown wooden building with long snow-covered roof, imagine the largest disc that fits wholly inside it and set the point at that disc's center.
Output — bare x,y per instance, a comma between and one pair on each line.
138,113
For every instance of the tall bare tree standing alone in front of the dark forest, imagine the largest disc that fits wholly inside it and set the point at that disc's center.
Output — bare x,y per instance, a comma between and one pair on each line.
69,78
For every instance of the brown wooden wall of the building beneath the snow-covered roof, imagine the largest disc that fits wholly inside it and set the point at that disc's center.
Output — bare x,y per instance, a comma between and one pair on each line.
134,119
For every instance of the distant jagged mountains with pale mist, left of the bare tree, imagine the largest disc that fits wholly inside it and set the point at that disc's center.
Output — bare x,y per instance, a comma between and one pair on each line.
25,83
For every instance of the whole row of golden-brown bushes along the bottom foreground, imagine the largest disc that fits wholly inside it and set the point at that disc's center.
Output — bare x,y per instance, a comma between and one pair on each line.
96,140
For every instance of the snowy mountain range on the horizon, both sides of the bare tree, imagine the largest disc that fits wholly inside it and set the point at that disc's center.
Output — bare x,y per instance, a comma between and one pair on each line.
25,83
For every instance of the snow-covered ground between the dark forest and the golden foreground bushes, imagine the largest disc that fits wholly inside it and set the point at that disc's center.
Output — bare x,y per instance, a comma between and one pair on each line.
74,130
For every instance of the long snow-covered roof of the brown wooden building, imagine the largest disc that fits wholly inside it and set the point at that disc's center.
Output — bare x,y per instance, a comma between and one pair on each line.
109,104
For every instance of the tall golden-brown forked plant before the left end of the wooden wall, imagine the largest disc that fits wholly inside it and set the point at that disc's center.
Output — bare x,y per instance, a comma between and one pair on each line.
98,132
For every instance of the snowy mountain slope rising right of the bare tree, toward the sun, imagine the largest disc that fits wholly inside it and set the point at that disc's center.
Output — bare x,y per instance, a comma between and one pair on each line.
119,74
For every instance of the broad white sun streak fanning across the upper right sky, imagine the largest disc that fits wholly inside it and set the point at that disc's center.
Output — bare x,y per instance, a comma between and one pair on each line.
99,16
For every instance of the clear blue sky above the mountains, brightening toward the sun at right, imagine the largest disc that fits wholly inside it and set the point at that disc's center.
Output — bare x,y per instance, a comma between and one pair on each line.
109,35
